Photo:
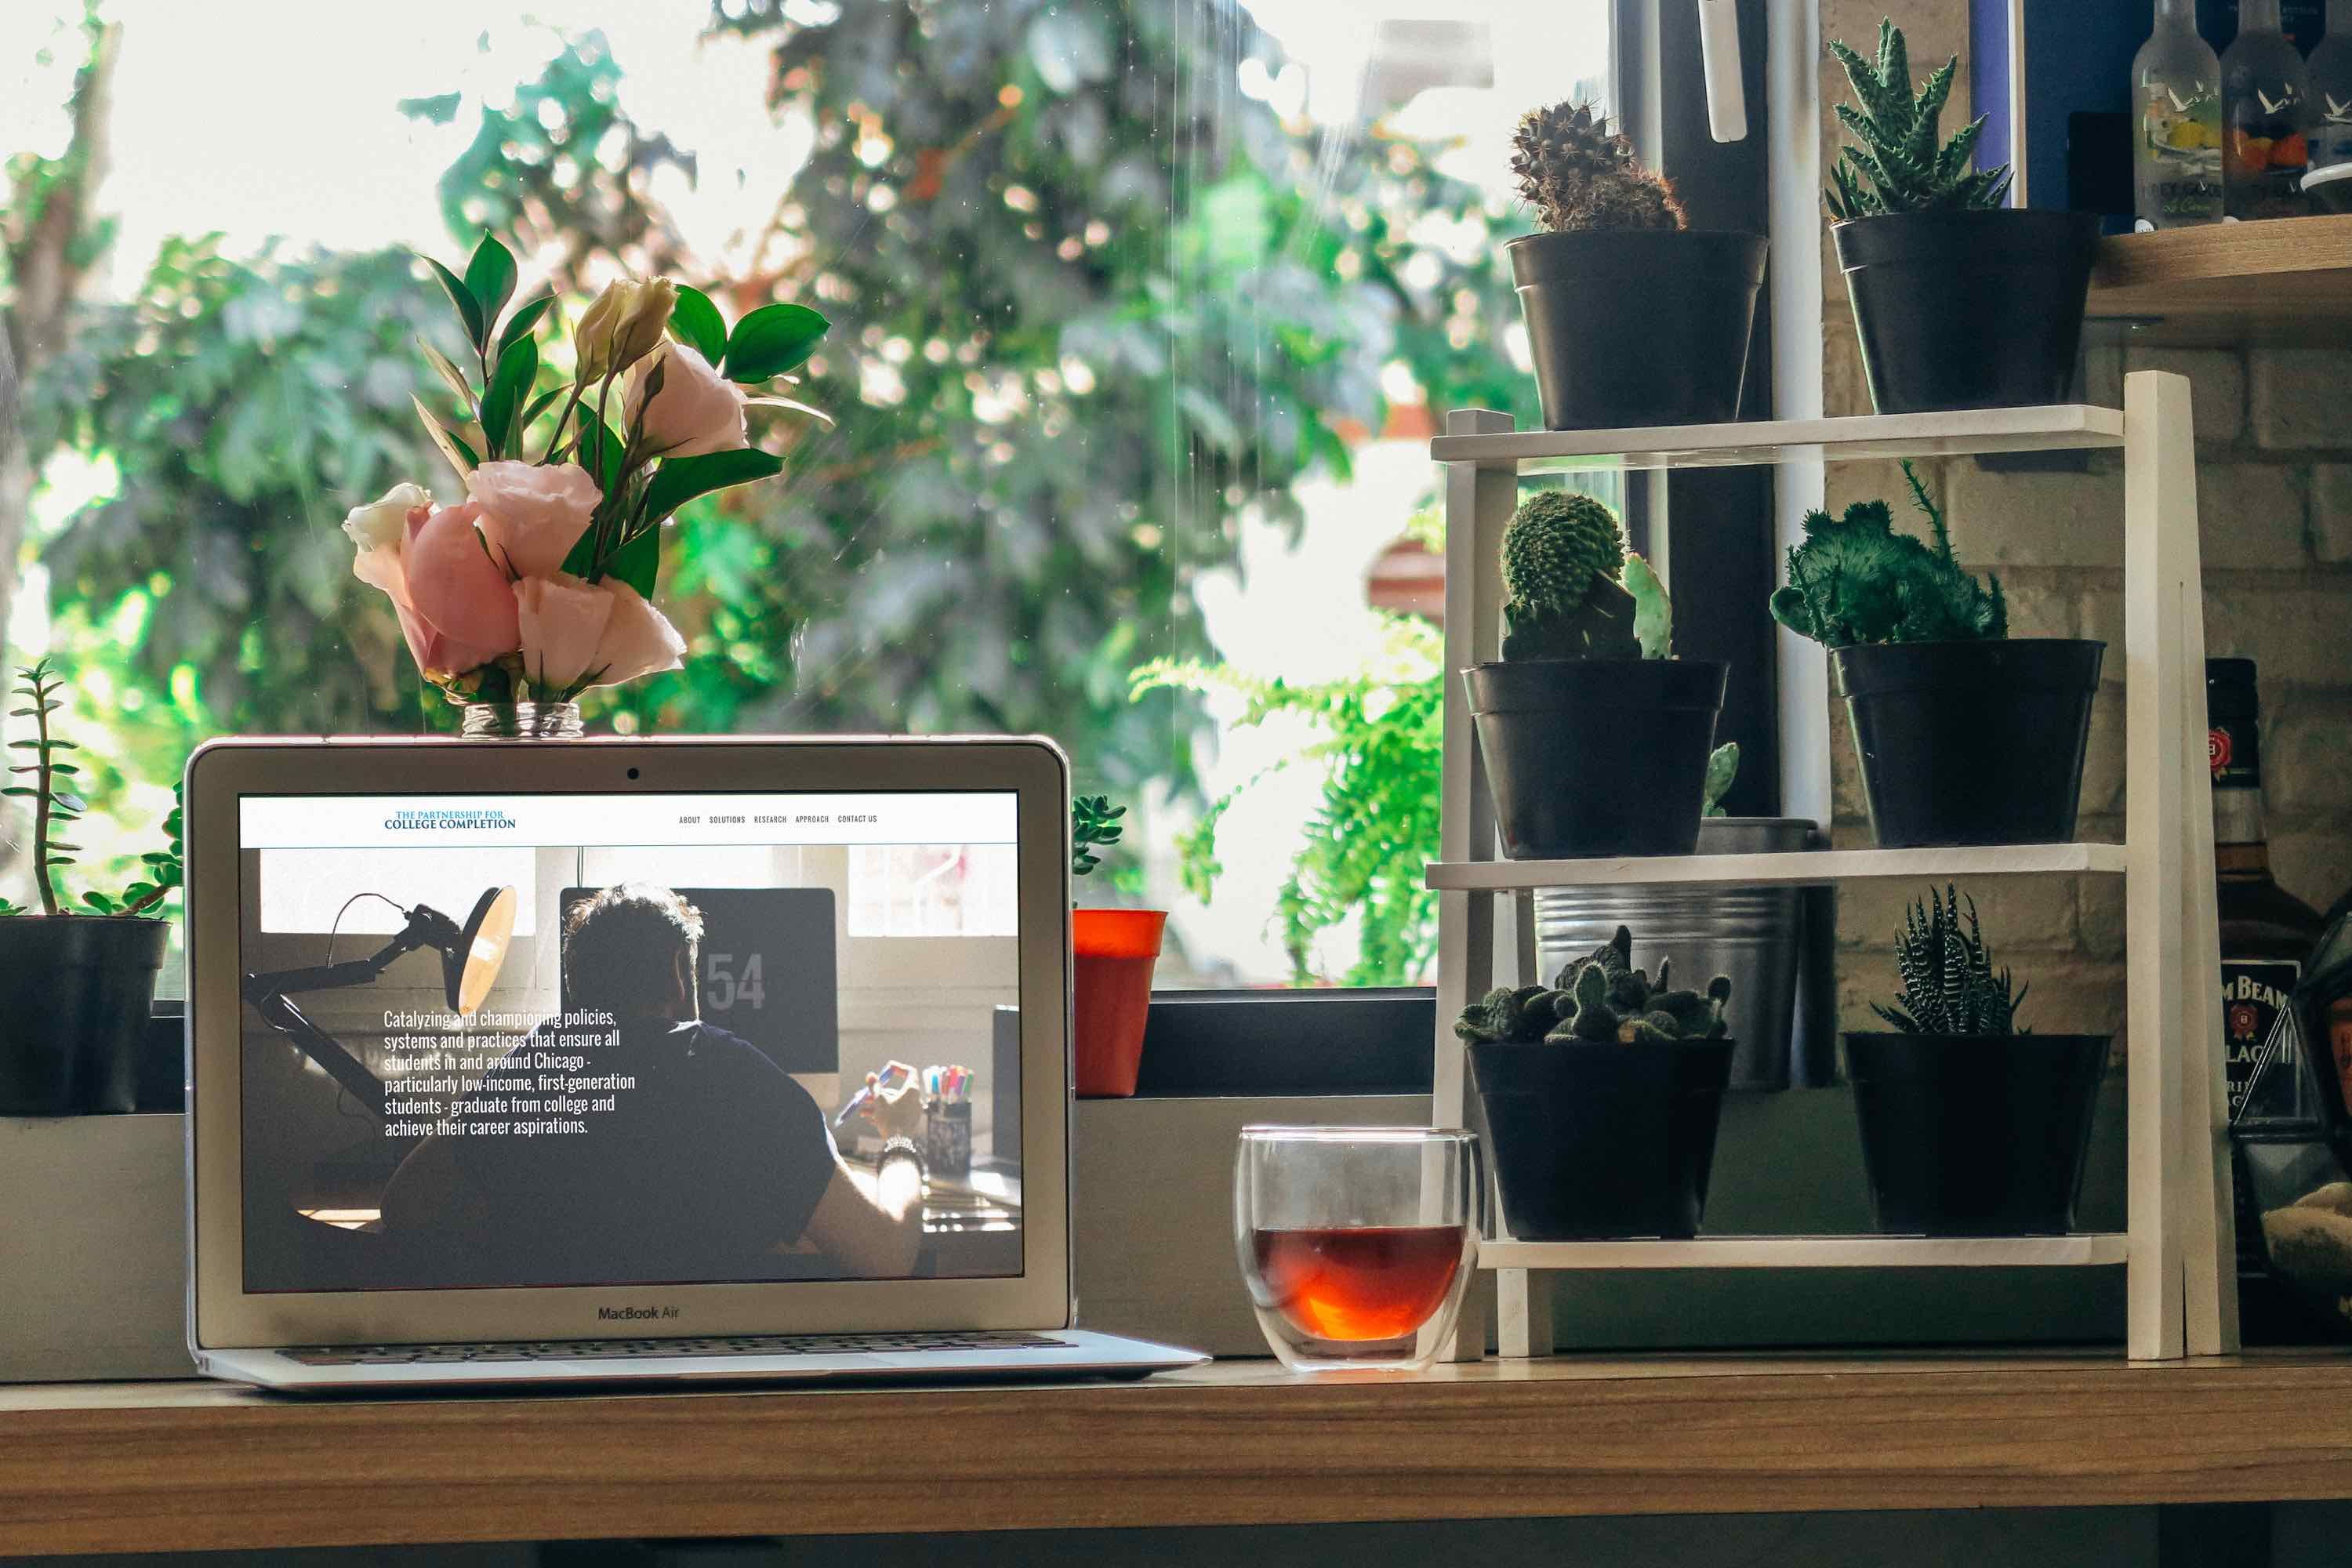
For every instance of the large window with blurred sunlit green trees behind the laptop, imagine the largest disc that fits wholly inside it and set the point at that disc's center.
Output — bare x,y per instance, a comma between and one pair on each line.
1144,311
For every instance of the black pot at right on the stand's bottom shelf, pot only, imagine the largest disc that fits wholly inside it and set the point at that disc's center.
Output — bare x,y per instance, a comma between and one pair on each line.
1970,1137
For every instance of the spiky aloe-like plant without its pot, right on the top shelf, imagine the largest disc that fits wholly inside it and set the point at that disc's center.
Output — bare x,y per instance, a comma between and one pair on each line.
1902,166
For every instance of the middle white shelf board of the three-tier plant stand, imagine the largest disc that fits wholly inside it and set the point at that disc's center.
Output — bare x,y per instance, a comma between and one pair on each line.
1786,869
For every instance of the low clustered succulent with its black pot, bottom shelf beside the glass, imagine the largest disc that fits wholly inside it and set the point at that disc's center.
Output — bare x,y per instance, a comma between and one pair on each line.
1603,1094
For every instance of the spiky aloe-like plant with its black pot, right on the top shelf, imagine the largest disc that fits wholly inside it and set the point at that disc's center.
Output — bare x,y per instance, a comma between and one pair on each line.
1958,300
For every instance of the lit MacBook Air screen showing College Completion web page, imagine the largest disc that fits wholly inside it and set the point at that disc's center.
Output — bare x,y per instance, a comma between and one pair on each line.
582,1040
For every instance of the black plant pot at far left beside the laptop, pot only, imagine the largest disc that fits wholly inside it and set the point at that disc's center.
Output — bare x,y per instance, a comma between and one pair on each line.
74,1012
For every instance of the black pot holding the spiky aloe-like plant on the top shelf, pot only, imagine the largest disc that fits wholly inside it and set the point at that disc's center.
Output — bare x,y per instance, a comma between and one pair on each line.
1967,309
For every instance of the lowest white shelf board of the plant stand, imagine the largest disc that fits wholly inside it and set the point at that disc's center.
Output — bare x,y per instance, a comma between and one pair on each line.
1810,1254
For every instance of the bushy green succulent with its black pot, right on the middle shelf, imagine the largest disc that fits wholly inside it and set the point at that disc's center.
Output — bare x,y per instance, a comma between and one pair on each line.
1963,735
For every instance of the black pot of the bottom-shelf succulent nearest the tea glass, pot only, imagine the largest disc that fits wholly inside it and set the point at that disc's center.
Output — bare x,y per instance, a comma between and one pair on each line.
1601,1141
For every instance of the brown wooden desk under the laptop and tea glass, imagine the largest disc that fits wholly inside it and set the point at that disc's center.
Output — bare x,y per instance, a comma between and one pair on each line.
145,1468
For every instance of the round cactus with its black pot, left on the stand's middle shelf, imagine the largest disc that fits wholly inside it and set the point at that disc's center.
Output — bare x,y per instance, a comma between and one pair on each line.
1596,737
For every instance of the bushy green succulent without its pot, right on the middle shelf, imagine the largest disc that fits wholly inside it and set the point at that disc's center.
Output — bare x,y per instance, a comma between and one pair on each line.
1855,579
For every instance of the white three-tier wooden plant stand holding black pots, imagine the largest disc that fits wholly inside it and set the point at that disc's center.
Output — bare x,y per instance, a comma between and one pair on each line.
2179,1245
